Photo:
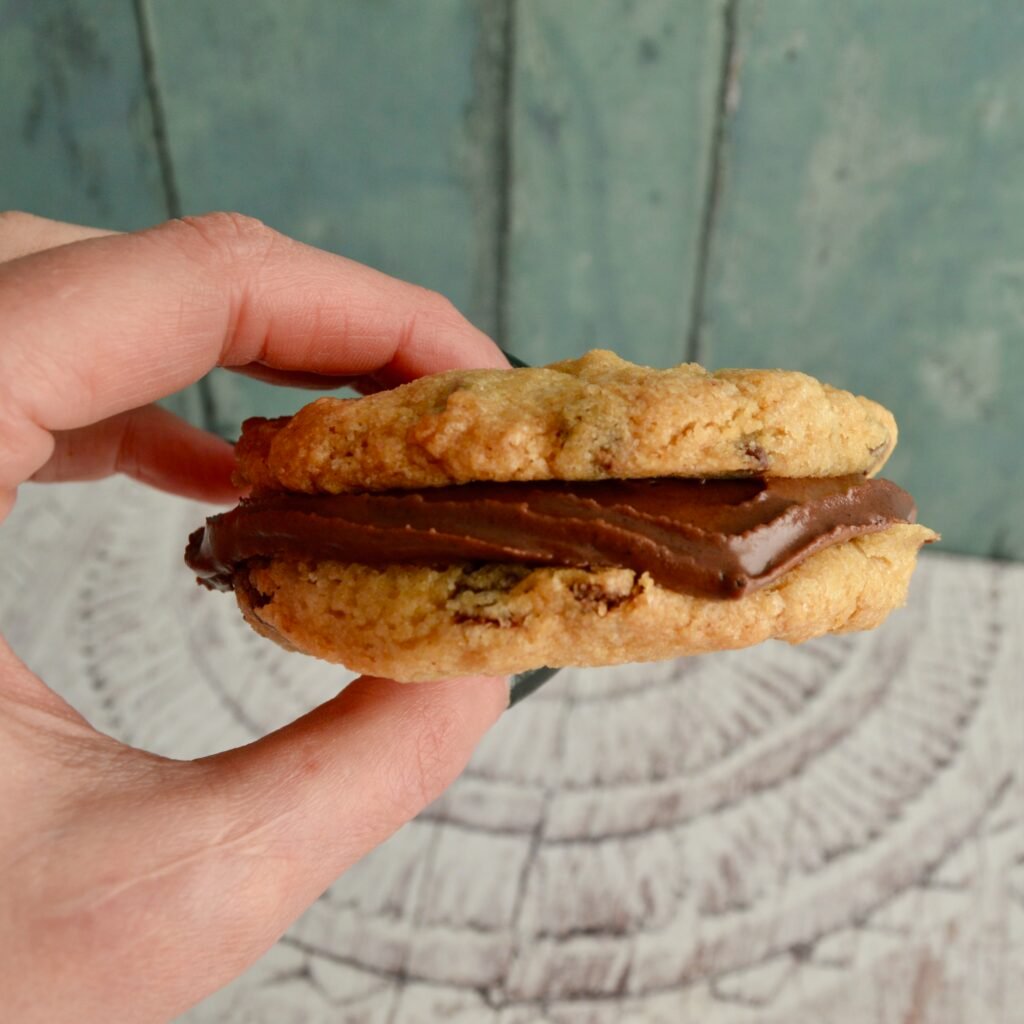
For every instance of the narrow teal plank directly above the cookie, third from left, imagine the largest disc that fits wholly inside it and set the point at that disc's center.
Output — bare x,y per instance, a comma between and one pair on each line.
613,118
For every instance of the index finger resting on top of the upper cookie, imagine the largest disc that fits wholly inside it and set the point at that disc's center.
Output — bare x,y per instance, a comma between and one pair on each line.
106,325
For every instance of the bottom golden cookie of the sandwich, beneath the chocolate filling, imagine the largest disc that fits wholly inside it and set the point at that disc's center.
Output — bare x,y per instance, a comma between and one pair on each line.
414,624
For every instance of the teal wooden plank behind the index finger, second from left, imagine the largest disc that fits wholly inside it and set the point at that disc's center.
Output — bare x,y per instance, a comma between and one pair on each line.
366,130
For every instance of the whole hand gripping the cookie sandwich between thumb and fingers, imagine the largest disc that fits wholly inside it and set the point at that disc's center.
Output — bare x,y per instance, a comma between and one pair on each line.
131,885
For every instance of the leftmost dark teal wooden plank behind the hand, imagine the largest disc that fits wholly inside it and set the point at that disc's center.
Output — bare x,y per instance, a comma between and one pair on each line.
75,117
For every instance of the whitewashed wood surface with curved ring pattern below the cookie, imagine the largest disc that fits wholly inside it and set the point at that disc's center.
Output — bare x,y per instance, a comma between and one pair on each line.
825,833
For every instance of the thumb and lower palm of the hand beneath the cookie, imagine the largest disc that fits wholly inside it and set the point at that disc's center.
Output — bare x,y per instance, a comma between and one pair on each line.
153,882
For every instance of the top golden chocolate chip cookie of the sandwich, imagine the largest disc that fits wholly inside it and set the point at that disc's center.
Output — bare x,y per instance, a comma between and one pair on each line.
594,418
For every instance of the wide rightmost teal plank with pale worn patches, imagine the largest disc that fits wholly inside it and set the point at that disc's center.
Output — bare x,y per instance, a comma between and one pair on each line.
871,232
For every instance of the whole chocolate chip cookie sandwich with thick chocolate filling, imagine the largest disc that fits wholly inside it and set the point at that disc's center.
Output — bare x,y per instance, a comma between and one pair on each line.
590,513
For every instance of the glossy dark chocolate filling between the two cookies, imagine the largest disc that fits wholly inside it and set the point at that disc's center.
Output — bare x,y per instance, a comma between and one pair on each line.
720,537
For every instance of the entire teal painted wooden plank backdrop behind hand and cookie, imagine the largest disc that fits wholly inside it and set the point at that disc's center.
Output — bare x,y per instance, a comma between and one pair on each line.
837,188
